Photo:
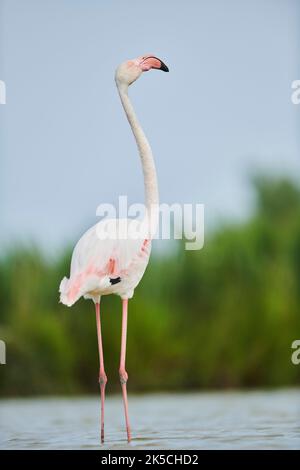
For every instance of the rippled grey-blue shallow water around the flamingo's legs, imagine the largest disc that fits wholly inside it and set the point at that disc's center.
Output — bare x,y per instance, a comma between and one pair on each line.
239,420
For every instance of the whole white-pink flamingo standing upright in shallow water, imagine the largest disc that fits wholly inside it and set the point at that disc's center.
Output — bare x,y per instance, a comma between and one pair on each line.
116,264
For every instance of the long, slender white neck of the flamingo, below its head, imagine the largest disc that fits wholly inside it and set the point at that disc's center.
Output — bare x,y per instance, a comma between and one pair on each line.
148,165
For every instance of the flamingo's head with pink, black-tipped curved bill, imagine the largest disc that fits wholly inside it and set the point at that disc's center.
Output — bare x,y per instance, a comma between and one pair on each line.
129,71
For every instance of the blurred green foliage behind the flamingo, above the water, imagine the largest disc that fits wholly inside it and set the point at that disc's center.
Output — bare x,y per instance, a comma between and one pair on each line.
224,316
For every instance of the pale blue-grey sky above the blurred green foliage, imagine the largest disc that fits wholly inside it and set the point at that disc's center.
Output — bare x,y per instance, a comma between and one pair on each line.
223,112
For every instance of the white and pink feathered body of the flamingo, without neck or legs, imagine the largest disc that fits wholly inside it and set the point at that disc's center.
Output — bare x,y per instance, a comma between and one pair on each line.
113,265
